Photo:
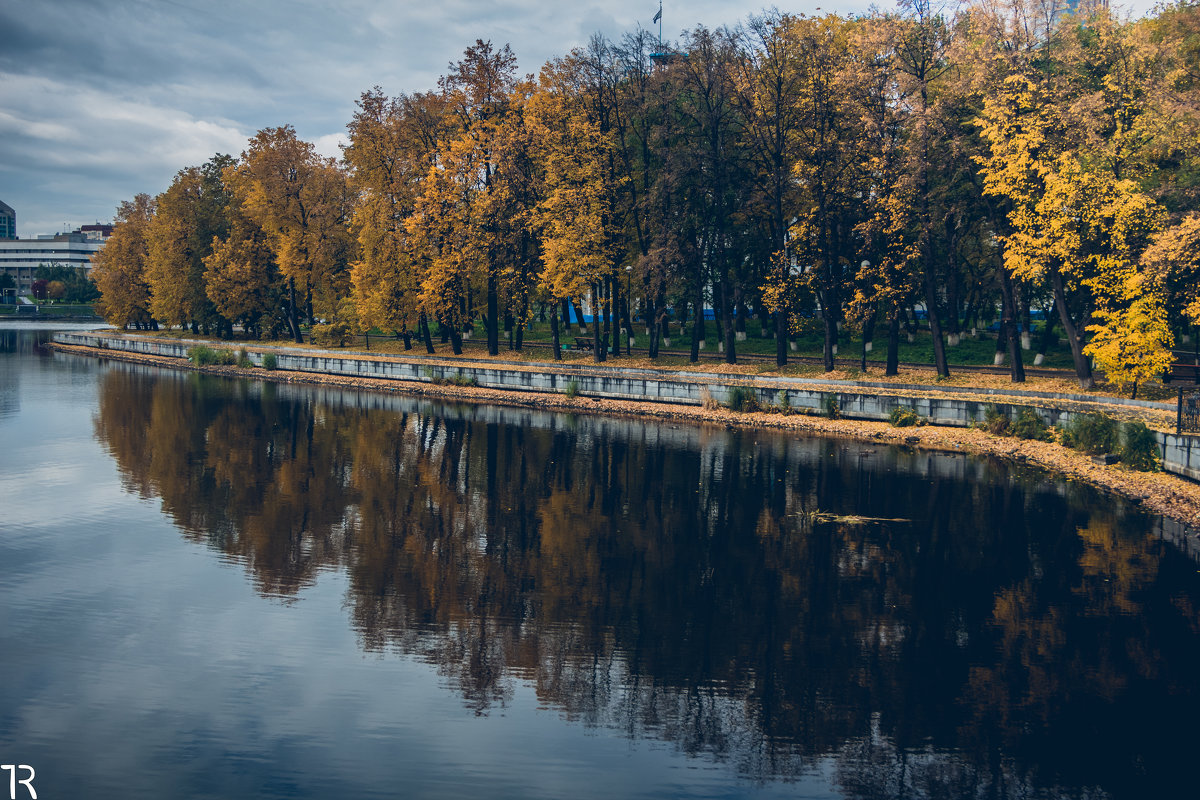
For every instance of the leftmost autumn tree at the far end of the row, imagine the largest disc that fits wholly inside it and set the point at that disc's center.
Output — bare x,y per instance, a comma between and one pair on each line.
121,268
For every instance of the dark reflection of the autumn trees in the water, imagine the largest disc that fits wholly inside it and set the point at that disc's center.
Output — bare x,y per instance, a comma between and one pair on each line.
1019,637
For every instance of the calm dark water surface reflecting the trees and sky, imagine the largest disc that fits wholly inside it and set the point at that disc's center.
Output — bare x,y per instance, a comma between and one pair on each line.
225,590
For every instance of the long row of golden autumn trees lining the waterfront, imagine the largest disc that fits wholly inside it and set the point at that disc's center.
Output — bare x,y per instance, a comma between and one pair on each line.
820,173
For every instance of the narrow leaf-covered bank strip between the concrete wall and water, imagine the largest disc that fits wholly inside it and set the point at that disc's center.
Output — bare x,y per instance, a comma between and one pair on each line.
1173,497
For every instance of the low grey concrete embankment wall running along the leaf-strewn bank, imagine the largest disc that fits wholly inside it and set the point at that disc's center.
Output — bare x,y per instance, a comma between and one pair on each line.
860,401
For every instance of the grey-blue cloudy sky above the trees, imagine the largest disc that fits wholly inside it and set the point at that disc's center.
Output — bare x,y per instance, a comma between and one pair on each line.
104,99
